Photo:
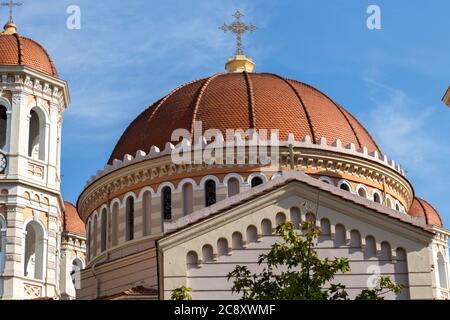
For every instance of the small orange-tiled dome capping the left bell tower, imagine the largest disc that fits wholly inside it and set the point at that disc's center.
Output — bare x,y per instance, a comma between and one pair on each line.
17,50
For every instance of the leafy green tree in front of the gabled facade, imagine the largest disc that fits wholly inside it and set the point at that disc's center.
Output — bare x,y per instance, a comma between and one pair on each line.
293,271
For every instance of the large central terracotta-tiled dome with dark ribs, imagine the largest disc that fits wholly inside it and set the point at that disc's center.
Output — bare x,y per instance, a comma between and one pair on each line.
243,101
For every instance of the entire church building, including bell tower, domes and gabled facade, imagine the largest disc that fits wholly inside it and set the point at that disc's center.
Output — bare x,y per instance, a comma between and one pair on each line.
197,184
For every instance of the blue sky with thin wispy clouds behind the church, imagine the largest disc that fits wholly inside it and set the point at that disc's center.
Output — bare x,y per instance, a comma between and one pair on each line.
128,54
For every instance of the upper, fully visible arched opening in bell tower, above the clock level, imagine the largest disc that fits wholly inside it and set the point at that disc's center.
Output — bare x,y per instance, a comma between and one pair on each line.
36,135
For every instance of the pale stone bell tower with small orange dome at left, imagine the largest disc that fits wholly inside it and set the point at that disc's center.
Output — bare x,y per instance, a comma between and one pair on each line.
32,102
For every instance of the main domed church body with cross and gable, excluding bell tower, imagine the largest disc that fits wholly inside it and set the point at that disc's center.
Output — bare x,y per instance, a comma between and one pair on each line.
155,224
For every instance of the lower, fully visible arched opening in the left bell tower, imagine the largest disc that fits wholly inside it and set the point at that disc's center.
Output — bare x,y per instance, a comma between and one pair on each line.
34,251
